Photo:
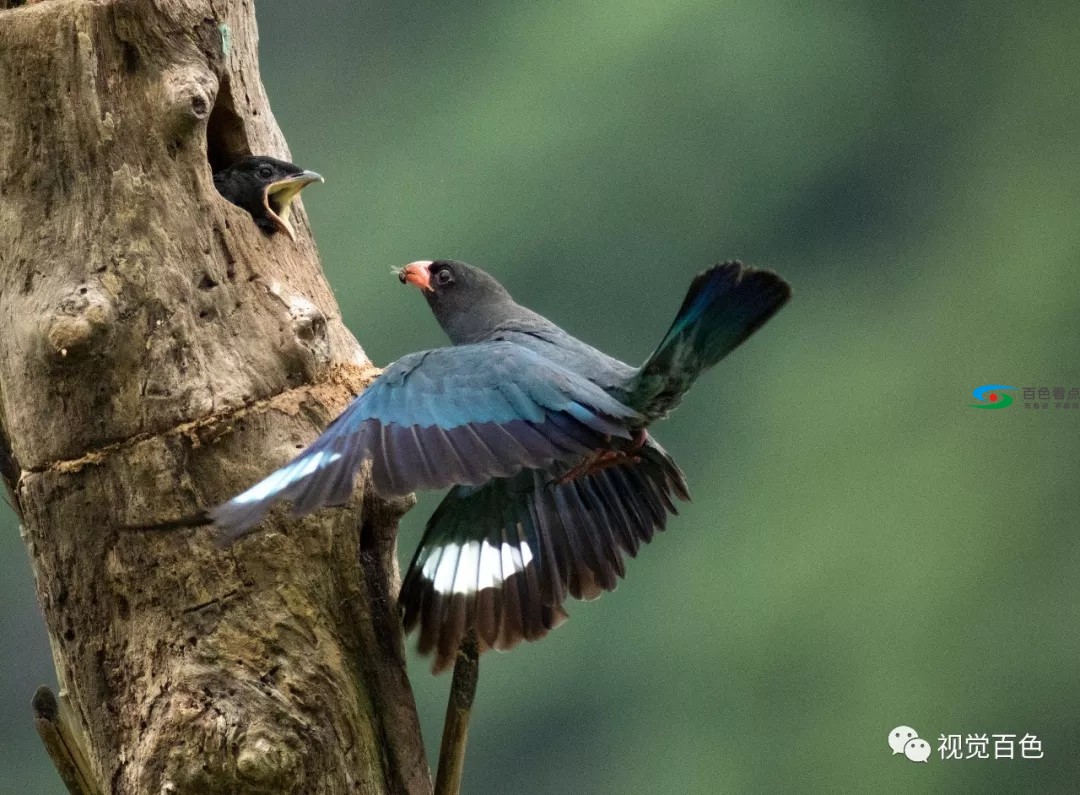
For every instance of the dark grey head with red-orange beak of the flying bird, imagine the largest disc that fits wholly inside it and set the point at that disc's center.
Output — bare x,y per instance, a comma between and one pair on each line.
467,302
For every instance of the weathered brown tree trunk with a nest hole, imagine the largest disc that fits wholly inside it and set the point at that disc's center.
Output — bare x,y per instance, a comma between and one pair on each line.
159,354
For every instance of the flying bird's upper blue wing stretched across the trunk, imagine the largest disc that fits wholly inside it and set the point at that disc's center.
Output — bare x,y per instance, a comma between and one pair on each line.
461,415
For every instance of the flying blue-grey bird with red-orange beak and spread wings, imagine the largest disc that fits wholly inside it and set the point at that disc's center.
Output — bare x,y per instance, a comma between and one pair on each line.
543,439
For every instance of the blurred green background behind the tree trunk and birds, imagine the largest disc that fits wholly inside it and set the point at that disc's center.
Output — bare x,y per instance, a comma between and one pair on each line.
865,549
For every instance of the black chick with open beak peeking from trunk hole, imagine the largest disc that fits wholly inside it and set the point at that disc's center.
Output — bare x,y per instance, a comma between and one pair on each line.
266,188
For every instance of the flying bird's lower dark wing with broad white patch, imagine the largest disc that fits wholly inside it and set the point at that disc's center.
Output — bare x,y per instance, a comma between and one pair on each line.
503,558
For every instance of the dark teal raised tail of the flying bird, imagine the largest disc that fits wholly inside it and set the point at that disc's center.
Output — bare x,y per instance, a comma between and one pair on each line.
724,306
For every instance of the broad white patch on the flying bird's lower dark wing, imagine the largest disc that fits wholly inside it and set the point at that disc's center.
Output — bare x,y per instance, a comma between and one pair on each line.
475,565
